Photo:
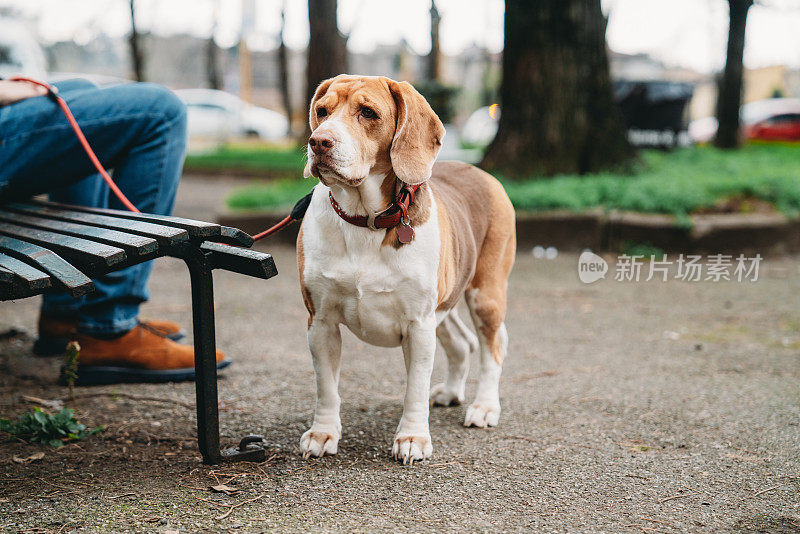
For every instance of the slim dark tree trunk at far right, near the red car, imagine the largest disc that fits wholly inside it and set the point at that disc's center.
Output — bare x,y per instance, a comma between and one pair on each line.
730,91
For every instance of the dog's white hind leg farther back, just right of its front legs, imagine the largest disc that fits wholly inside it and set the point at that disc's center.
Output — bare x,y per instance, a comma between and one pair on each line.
458,343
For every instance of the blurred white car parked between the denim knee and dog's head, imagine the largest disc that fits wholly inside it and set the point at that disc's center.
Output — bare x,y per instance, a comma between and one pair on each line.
221,115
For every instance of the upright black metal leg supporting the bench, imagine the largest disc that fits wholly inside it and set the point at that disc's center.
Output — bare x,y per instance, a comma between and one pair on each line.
205,359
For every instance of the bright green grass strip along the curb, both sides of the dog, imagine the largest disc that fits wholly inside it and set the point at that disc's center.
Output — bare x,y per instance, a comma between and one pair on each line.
675,183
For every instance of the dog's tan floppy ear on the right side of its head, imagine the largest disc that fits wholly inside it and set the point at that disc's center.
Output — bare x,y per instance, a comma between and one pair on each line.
418,135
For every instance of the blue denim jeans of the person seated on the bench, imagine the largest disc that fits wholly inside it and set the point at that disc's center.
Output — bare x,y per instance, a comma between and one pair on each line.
139,130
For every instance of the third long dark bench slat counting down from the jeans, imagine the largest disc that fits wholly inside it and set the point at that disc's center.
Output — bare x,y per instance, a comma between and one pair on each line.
133,245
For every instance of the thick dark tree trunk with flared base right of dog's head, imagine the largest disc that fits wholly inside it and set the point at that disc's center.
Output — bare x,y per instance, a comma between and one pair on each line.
558,111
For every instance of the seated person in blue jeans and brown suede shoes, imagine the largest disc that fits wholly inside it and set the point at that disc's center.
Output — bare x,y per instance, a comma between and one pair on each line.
139,130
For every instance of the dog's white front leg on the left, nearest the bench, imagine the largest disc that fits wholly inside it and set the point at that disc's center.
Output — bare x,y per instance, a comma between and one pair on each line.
325,342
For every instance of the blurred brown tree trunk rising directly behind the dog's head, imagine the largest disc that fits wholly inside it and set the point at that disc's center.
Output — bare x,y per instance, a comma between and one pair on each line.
327,47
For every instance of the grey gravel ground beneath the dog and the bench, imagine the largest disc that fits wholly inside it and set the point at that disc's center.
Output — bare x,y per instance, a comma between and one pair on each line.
627,407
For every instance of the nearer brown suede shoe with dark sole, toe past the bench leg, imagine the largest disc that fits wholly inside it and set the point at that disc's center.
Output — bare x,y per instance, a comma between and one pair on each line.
141,355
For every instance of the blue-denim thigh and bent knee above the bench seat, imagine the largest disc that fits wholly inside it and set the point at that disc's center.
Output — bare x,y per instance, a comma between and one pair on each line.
134,128
